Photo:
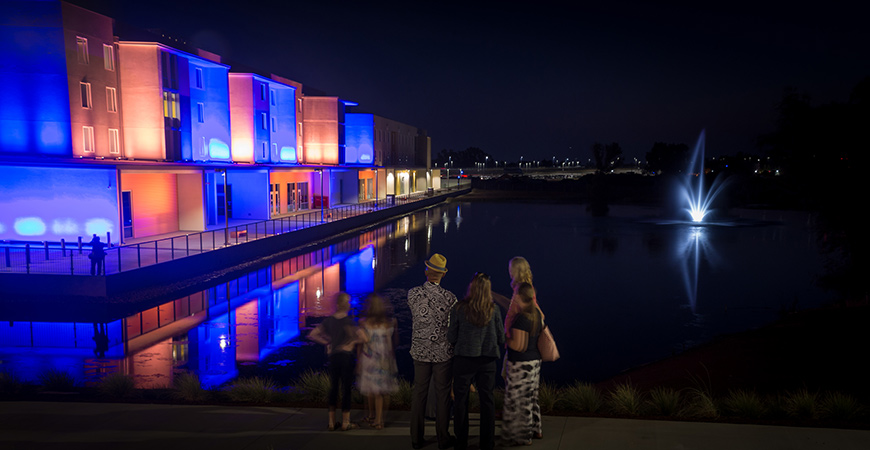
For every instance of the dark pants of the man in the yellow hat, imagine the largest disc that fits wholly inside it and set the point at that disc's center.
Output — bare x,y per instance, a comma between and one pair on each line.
440,375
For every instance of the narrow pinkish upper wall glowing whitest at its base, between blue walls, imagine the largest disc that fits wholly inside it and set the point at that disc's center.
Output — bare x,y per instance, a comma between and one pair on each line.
242,116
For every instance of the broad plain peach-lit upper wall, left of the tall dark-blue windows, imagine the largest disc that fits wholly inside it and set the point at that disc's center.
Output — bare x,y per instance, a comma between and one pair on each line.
141,101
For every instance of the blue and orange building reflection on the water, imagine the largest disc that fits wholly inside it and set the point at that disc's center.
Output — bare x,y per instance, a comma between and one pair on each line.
213,331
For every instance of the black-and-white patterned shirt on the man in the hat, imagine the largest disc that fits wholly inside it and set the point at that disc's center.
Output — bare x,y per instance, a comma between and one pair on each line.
430,310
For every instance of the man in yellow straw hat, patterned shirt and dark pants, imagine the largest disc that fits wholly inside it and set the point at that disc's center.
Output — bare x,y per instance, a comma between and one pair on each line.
433,356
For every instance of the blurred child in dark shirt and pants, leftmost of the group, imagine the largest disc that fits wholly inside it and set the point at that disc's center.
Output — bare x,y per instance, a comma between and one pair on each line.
340,335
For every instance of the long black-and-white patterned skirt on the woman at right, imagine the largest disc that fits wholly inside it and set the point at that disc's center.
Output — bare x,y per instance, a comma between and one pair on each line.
521,417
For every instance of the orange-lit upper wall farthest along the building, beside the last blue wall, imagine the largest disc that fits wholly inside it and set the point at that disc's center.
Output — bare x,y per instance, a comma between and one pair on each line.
320,130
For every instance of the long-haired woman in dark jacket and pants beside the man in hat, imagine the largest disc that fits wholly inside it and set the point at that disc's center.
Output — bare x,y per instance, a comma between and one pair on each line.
477,334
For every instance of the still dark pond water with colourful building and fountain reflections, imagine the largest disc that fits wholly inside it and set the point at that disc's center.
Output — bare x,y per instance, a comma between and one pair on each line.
617,292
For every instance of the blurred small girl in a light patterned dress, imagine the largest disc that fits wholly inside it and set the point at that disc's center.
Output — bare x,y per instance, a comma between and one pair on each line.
377,359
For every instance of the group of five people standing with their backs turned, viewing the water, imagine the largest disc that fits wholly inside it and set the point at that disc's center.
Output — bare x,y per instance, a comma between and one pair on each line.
455,344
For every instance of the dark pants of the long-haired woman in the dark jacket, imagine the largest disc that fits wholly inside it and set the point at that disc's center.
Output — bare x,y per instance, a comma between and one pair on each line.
480,370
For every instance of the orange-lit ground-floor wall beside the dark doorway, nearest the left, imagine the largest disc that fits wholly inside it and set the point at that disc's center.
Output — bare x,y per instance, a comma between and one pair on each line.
155,202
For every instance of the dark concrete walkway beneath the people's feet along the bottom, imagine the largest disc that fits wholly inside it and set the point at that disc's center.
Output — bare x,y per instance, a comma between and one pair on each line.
48,425
